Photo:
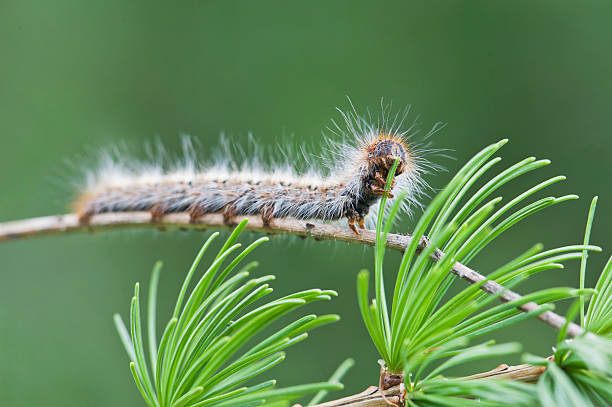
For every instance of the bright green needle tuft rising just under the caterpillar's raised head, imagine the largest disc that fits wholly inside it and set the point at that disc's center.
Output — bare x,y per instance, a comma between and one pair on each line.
420,320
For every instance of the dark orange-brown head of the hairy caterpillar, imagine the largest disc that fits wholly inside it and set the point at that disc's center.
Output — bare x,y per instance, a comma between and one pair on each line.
383,152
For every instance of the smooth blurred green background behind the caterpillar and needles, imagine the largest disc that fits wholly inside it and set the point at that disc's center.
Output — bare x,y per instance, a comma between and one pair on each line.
78,76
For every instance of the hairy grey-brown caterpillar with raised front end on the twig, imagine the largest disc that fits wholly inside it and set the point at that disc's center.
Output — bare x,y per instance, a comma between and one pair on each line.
358,162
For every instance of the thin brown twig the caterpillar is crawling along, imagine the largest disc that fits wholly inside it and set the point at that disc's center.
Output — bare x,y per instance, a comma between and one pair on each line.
61,224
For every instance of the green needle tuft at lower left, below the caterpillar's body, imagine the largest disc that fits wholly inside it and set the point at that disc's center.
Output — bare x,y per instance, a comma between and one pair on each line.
199,361
